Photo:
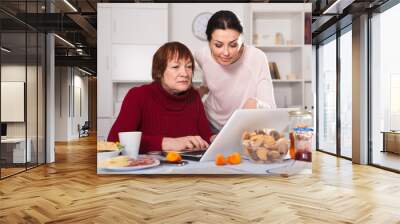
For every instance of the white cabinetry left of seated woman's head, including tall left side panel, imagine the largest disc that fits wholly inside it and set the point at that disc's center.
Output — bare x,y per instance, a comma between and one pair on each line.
128,36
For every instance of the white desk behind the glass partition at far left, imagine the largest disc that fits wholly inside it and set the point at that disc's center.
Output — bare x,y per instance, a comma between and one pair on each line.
19,149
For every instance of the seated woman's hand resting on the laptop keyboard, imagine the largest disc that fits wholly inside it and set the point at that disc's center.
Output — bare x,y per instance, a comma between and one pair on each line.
184,143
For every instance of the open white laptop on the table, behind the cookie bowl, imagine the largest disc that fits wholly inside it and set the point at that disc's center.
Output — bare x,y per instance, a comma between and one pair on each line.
229,140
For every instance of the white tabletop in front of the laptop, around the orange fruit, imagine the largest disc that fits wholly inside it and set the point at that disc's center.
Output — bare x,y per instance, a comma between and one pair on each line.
288,167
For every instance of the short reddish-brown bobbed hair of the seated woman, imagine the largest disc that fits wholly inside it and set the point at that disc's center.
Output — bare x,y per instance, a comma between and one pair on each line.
167,52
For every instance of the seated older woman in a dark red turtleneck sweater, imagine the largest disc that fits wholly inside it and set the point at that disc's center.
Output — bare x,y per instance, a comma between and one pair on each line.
168,112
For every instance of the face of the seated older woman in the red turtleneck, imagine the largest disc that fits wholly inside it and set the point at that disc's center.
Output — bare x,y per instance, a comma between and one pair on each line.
177,76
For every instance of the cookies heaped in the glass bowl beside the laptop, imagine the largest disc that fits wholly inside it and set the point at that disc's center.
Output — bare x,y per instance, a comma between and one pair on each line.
263,146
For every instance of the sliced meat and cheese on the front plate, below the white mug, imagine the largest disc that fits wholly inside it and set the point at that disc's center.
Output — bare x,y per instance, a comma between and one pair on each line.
125,161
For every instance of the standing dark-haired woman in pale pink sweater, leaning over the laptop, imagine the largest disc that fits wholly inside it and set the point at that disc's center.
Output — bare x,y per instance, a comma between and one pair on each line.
234,75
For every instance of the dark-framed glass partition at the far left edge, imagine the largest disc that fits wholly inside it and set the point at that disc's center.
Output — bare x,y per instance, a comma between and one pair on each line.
22,66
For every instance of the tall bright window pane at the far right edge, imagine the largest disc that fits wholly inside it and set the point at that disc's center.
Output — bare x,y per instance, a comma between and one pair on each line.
385,88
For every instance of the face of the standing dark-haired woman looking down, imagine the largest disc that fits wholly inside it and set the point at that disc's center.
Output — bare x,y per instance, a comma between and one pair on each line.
225,46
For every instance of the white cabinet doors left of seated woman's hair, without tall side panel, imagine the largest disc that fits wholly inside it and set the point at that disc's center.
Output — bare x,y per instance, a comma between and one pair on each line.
138,30
